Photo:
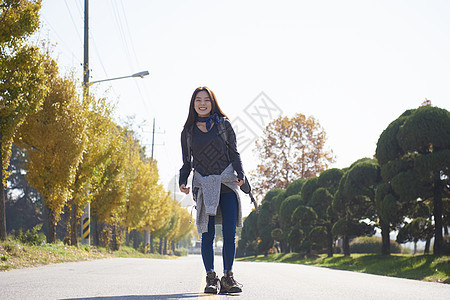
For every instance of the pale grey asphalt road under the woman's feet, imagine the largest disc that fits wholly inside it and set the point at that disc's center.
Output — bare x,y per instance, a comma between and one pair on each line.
184,278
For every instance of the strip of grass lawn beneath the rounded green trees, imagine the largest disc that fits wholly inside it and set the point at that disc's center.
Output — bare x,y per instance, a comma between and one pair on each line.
419,267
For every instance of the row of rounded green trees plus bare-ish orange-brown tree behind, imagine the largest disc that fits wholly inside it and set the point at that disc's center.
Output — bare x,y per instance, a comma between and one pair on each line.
405,187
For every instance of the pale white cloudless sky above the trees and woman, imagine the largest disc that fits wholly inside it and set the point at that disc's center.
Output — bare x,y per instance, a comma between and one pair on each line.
353,65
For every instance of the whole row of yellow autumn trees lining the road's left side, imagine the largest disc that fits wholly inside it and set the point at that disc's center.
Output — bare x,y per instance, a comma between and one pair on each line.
73,151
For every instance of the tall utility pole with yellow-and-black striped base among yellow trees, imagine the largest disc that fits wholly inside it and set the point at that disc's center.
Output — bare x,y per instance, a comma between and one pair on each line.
86,218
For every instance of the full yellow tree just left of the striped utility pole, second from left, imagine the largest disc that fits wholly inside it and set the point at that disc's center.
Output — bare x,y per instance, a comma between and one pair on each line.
54,139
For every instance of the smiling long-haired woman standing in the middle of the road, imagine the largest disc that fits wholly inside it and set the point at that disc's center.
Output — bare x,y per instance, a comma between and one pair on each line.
208,145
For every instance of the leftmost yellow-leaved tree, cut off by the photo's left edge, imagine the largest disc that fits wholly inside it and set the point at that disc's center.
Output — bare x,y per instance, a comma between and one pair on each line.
22,78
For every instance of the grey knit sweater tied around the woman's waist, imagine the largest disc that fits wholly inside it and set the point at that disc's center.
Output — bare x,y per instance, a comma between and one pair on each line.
208,196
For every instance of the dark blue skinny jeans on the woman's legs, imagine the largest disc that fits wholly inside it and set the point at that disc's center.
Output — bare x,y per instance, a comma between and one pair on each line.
228,207
